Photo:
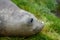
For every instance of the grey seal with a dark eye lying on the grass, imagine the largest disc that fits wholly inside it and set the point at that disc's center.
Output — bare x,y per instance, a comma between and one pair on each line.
17,22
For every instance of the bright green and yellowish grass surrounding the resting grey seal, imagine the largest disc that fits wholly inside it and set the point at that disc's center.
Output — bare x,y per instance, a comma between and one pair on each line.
42,10
